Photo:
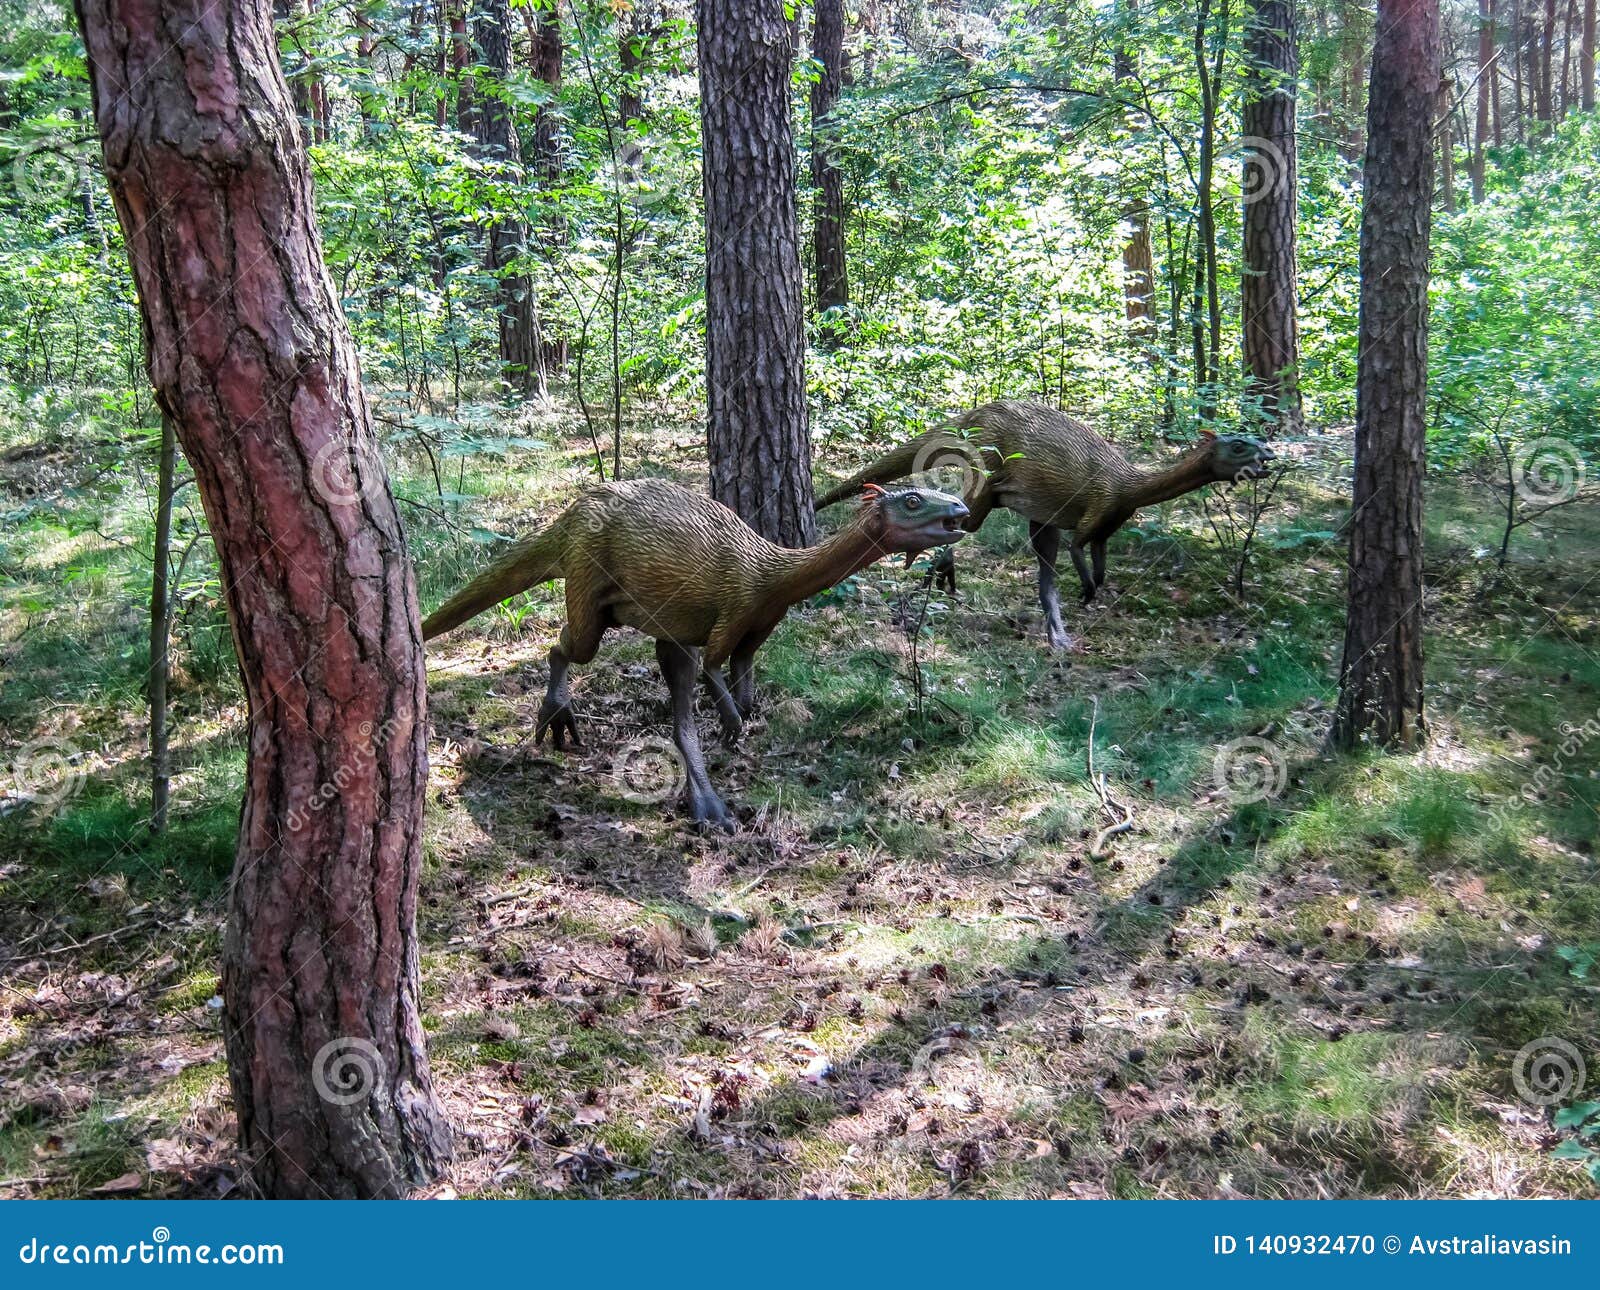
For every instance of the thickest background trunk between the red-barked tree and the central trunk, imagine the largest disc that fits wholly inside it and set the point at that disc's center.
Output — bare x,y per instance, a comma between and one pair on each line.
522,353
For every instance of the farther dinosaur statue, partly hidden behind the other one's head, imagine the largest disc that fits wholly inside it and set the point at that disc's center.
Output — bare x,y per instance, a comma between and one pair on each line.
1062,476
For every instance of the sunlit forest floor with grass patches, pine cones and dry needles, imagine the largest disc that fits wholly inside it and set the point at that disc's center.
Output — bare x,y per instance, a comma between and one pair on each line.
905,974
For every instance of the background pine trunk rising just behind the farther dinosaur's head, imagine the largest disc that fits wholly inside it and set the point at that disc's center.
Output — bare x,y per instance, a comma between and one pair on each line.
1271,186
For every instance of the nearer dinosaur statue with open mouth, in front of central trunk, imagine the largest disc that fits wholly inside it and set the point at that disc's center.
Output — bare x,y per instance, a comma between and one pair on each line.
694,575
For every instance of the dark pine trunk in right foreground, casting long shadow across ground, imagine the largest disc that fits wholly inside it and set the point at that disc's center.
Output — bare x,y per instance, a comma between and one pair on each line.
1382,675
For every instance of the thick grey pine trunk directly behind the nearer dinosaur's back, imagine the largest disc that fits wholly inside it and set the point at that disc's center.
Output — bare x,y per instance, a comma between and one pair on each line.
758,438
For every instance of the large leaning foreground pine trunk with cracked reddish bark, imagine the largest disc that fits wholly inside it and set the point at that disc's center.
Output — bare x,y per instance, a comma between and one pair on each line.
252,358
